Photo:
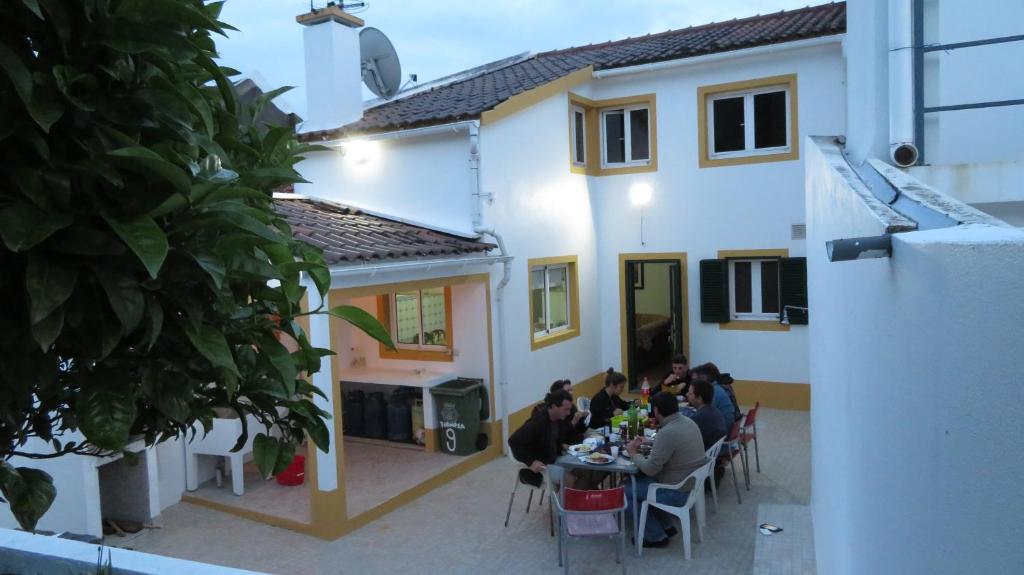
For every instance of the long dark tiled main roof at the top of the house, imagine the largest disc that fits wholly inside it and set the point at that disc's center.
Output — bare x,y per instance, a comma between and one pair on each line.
466,99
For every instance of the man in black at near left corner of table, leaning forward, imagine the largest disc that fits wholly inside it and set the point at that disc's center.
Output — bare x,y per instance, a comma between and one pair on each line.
538,444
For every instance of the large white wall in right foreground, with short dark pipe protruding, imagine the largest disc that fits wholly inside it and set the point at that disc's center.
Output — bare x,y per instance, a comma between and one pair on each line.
917,367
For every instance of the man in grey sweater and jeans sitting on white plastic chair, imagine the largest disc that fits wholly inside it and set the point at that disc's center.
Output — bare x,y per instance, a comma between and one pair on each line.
678,452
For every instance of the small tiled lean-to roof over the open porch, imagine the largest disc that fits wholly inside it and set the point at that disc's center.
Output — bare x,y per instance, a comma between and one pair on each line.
349,236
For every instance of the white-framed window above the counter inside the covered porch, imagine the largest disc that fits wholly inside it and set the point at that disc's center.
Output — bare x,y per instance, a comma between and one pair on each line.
419,321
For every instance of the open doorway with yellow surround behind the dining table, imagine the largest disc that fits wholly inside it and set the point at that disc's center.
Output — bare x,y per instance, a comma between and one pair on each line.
654,290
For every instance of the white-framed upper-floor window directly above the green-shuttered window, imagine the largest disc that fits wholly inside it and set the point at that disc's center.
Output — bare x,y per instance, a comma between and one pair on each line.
749,123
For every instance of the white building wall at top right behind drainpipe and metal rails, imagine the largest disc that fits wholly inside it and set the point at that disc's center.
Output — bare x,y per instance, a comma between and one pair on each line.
963,76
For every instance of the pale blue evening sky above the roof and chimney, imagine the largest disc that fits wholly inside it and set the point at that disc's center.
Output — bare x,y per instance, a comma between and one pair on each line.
436,39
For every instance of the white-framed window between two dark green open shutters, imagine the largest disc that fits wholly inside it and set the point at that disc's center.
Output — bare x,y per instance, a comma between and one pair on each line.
754,292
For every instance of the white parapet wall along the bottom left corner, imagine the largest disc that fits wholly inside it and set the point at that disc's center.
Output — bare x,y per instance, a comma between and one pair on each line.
25,553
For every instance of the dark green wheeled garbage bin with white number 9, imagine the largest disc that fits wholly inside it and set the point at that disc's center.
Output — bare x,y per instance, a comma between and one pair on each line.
461,405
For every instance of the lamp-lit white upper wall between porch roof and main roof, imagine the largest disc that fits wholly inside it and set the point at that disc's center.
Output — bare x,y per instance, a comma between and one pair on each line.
424,181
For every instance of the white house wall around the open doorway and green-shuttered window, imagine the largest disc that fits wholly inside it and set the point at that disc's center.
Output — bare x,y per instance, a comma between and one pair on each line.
703,210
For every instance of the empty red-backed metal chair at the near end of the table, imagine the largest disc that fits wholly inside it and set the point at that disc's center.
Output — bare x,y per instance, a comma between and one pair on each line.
590,514
